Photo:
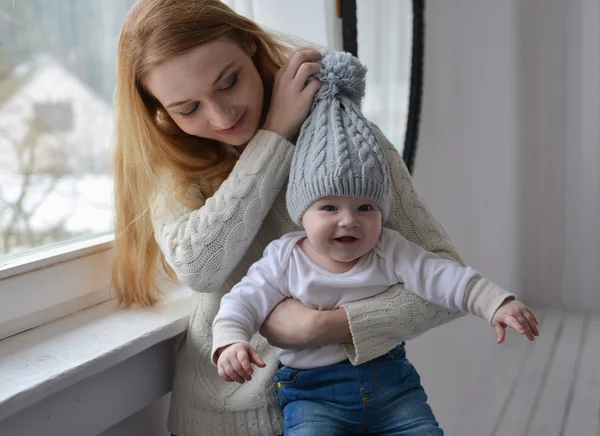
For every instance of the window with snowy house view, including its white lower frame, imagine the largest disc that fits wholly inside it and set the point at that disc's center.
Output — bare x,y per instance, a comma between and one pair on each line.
57,78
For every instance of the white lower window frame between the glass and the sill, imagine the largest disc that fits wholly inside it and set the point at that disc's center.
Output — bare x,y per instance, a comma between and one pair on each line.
77,274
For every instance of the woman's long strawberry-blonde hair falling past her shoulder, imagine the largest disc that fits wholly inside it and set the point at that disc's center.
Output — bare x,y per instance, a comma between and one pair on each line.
148,141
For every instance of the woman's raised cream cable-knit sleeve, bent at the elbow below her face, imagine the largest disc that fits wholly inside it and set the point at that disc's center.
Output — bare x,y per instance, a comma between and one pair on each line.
204,245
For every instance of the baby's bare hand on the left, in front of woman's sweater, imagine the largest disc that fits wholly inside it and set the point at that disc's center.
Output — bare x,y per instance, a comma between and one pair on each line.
234,362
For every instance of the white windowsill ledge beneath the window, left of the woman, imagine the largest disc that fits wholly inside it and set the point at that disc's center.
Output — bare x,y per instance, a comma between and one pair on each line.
49,358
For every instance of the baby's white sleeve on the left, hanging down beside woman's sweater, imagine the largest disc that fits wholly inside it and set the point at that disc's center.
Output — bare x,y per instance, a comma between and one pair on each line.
247,305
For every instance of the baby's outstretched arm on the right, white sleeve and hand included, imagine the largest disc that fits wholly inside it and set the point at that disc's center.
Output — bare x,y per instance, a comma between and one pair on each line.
450,285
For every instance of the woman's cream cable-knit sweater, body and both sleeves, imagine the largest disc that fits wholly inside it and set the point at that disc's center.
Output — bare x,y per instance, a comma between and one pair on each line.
212,248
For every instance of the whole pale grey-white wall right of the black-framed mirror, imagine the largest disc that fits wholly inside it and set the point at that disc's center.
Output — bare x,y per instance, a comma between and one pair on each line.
509,148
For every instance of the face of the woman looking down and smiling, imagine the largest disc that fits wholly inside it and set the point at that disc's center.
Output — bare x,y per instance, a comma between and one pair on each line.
213,91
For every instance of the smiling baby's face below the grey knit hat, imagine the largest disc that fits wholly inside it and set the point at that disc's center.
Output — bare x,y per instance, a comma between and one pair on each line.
343,228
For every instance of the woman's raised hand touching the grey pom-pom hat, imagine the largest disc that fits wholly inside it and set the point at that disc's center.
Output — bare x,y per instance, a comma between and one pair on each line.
292,97
